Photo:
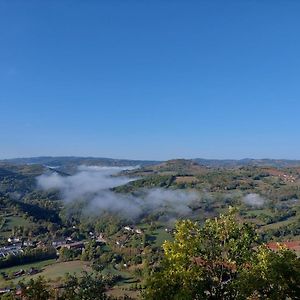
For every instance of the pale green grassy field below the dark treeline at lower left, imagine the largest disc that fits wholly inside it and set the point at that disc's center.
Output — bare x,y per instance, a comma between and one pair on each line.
50,269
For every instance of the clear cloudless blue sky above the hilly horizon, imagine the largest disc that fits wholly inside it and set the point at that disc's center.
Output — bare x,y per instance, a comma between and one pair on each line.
152,79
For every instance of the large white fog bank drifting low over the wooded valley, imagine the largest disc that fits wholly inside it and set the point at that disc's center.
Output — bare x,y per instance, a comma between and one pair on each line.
93,183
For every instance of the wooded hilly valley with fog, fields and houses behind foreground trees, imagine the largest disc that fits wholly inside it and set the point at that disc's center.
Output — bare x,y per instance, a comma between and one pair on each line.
54,229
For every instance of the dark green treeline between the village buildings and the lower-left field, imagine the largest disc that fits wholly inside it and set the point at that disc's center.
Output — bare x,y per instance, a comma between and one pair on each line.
28,256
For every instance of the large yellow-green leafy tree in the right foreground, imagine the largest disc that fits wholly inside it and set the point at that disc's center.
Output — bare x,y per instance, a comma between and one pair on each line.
217,261
